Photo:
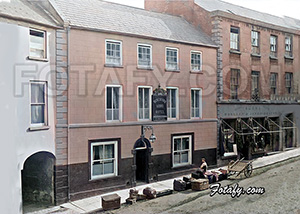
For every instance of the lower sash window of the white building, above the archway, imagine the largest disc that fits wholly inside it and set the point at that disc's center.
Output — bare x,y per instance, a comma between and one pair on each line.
38,103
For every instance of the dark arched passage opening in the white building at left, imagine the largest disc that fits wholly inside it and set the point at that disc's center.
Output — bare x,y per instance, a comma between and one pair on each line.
38,181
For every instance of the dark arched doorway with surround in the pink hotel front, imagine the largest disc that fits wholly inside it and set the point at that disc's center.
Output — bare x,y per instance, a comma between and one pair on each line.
142,161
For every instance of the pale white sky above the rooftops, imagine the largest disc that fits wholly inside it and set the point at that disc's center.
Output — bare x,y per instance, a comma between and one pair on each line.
275,7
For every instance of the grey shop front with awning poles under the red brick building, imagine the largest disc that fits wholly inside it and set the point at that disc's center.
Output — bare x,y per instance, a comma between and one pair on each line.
254,130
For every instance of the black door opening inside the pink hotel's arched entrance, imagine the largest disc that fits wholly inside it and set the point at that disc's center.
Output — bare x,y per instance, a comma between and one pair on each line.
141,165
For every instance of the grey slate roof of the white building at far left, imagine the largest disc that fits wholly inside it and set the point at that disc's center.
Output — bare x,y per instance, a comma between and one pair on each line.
20,9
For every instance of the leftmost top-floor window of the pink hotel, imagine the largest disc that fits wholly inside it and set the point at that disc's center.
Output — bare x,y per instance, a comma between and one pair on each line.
113,53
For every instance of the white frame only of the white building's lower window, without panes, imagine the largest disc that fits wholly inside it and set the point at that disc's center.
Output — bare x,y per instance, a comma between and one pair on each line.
36,125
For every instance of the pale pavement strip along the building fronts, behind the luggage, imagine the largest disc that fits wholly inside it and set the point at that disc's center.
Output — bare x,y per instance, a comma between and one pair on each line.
93,204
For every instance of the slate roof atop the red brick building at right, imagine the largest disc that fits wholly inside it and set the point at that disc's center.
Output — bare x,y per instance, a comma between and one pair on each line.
214,5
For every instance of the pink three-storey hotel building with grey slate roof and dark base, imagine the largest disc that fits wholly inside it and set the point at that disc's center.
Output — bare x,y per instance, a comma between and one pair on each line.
115,57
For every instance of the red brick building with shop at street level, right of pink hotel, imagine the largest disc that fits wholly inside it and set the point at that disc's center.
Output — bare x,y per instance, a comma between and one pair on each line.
258,72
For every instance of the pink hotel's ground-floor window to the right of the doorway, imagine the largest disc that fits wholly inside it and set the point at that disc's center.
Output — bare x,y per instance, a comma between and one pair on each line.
182,150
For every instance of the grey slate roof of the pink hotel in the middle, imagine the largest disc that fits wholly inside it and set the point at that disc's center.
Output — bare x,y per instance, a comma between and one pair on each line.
112,17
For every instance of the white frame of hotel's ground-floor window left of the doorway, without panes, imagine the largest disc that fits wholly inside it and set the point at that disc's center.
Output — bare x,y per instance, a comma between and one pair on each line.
115,143
